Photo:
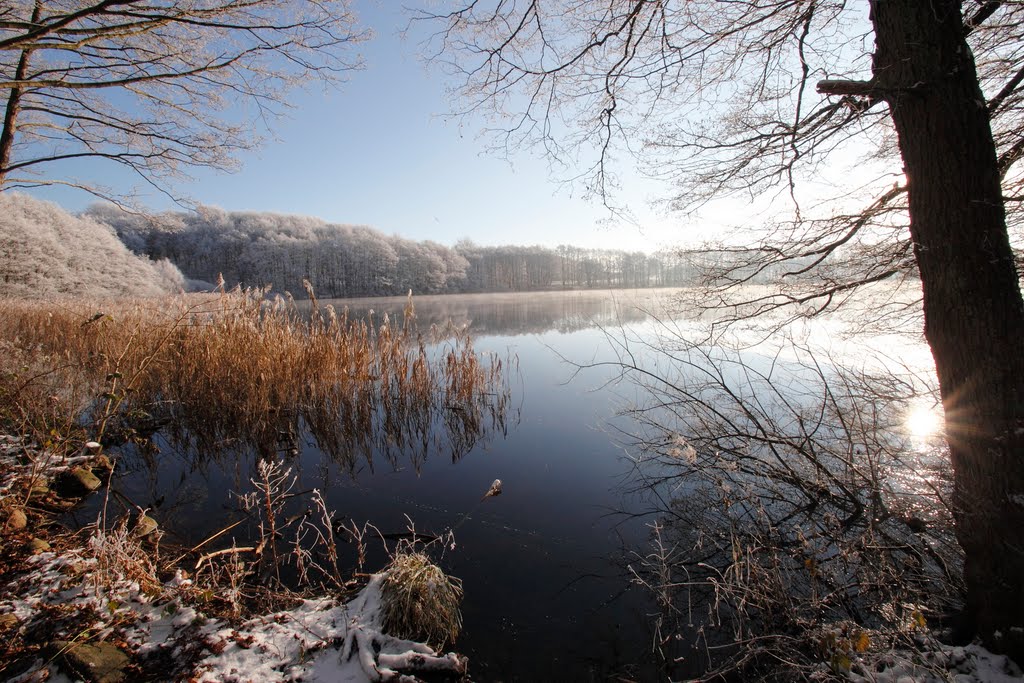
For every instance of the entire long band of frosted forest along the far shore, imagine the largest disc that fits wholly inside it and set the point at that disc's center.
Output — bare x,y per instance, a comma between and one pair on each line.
267,249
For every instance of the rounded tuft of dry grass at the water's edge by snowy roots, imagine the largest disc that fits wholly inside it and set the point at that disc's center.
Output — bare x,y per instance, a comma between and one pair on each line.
420,602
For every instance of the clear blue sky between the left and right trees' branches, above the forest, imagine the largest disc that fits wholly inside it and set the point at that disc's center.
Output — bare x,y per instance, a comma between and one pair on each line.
379,152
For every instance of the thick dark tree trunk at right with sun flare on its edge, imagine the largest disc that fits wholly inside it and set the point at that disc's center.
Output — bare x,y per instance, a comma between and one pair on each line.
974,314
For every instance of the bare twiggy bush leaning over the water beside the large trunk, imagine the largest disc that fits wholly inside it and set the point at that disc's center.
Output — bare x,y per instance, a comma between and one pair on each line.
792,500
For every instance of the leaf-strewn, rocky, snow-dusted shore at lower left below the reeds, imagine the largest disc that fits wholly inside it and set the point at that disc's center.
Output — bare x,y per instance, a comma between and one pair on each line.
89,604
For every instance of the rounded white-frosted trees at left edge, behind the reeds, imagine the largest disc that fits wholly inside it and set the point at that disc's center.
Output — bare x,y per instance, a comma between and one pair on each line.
46,251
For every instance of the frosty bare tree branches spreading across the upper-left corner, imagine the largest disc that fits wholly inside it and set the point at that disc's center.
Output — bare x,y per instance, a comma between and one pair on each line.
156,87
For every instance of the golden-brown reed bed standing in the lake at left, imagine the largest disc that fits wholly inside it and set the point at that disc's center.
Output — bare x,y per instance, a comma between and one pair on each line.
236,371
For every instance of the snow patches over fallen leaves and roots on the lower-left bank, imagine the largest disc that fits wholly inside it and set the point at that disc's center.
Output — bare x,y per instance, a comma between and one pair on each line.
320,641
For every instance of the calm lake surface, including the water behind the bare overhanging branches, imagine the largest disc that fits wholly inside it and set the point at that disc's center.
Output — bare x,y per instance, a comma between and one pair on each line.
730,443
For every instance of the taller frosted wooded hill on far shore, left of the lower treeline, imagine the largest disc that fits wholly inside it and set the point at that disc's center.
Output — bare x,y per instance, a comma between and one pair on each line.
261,249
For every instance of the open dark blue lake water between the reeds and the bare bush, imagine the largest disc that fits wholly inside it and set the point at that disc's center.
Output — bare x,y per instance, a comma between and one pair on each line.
547,593
